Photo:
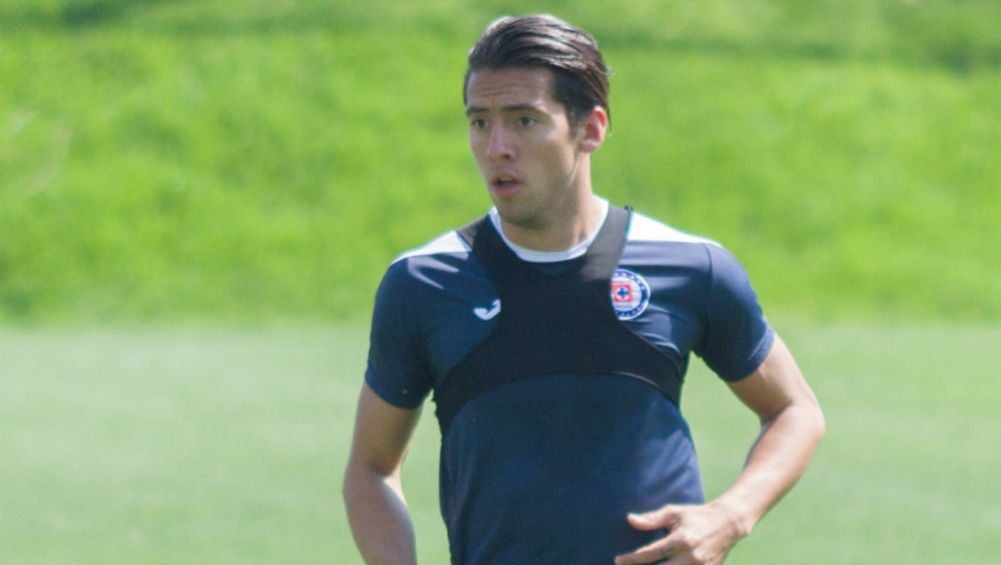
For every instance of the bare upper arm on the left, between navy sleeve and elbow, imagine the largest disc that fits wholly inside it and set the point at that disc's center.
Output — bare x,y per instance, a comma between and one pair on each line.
383,433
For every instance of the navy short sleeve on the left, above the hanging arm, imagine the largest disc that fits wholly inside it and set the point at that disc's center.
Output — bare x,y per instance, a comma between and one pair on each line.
398,370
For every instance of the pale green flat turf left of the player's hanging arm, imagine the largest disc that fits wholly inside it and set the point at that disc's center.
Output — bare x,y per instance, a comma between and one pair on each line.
126,447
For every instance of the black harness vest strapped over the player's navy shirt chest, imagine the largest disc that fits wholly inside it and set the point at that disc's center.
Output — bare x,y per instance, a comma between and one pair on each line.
553,324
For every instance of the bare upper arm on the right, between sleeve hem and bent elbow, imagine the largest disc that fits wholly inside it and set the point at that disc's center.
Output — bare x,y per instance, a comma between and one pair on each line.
777,384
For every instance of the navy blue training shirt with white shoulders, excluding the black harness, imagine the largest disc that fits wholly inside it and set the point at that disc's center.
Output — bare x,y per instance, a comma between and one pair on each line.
545,470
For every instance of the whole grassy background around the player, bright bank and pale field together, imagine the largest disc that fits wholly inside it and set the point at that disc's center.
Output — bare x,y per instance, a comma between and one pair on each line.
198,201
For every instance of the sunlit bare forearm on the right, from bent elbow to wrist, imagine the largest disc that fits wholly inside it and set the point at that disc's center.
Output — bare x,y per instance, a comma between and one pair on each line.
777,460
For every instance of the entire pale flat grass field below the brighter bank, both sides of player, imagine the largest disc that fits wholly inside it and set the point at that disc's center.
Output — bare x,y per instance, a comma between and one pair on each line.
221,447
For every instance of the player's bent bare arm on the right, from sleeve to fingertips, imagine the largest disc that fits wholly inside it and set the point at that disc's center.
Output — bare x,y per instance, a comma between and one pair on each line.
792,427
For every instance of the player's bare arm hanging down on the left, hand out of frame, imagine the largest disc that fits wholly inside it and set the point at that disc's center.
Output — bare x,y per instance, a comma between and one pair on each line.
373,494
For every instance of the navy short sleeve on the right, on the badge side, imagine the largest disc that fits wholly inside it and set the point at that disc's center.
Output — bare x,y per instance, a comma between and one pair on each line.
737,337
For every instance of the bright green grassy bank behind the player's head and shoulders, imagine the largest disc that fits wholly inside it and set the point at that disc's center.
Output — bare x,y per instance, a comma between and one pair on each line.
263,162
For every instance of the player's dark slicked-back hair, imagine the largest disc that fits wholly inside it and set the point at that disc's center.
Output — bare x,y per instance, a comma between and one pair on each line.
581,77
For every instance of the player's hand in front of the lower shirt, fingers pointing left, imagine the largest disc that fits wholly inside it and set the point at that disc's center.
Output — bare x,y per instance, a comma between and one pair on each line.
700,535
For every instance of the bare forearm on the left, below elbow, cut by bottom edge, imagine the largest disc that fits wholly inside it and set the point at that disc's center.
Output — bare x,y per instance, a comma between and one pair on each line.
380,519
